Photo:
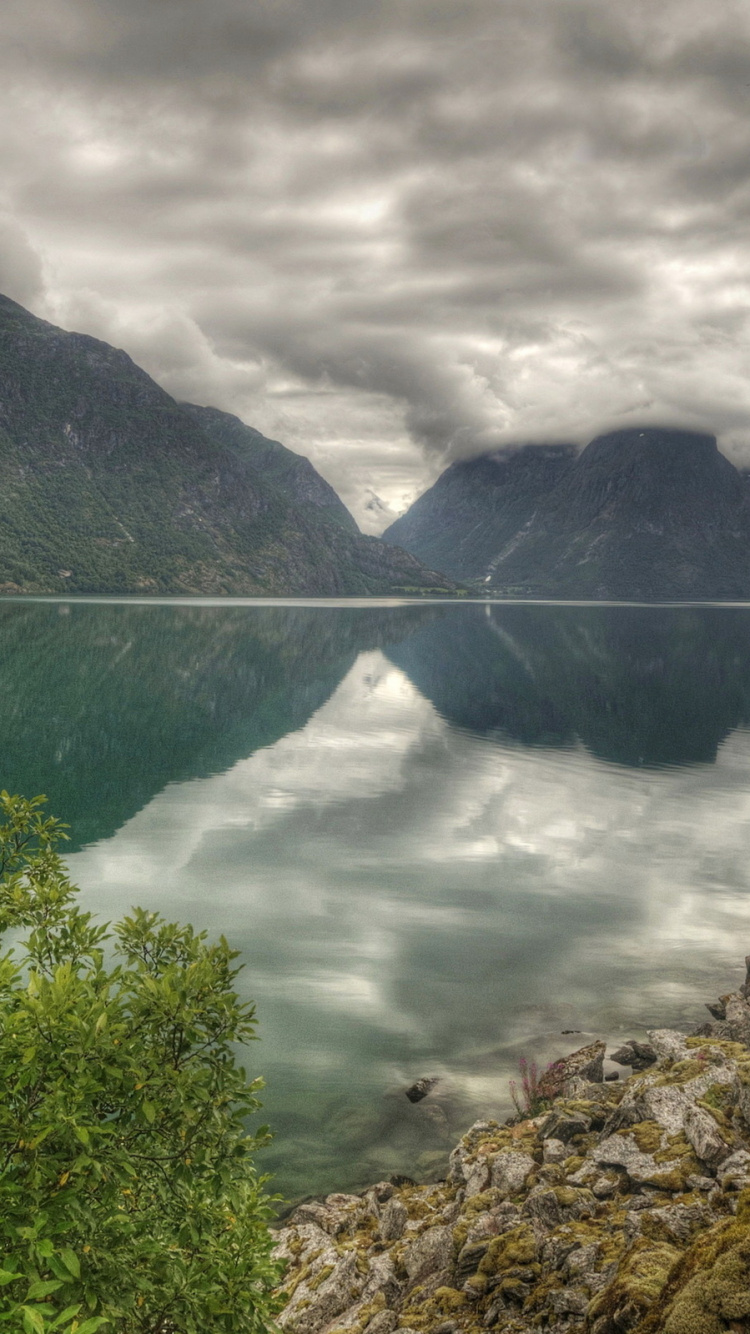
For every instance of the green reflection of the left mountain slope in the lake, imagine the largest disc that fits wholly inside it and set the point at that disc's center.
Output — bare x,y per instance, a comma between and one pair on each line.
105,705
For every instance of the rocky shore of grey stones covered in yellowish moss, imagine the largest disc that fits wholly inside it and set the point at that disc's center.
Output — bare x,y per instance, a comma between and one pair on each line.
619,1208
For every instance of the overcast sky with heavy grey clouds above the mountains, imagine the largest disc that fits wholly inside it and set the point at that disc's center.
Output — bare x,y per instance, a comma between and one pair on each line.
393,233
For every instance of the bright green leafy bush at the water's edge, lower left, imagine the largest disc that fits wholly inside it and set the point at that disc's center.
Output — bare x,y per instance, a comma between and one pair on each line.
129,1199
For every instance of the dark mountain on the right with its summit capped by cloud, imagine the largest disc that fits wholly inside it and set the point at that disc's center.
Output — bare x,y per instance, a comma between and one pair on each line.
652,514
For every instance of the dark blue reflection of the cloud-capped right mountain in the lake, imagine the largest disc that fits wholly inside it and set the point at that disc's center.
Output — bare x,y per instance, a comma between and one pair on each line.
636,685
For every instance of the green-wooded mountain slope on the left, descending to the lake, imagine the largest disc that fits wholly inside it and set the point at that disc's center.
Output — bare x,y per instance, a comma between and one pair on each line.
110,486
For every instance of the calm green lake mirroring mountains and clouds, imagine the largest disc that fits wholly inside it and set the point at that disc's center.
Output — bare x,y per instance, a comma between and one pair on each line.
440,834
